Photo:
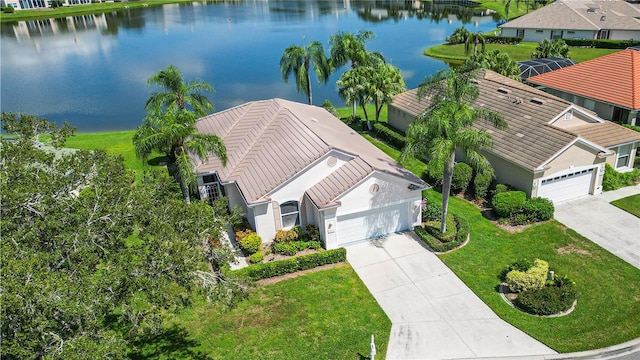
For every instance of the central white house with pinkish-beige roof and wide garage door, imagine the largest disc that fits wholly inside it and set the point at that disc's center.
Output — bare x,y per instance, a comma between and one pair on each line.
295,164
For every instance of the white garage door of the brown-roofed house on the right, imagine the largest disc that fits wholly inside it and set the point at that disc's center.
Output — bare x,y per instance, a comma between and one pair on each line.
567,186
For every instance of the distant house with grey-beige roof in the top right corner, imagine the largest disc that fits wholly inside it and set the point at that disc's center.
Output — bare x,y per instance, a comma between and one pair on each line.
578,19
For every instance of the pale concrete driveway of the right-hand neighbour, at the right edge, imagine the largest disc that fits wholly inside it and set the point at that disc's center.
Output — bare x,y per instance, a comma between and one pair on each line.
608,226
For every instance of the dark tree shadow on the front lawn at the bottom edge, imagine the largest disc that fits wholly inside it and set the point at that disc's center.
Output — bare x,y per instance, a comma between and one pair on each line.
170,343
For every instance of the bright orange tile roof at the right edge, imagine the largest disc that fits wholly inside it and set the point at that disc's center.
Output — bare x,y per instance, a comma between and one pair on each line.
613,78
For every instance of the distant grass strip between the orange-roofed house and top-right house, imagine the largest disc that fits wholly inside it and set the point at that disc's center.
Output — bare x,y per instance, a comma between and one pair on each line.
455,53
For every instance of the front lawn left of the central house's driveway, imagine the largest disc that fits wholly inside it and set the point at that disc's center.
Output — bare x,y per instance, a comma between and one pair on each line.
328,314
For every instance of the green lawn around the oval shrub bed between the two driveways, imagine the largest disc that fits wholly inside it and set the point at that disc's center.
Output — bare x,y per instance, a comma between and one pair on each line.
609,288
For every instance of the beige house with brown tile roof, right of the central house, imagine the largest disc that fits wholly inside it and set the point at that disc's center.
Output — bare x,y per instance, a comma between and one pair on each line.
552,148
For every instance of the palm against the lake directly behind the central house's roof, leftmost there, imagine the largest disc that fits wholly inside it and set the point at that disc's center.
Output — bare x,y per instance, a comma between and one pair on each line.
298,59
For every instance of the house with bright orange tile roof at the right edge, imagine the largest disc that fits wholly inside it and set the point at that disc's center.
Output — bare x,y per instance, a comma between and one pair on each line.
608,85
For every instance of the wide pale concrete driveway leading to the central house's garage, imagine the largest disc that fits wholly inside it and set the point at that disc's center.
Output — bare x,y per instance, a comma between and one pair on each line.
434,314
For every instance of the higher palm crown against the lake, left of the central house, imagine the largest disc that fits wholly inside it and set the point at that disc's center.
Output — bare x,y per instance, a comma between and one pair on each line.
179,94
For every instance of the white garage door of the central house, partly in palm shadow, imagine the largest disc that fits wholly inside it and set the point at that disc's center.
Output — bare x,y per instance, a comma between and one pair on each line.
372,223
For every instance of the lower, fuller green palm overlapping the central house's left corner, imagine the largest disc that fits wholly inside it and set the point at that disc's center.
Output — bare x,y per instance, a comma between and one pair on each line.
174,134
